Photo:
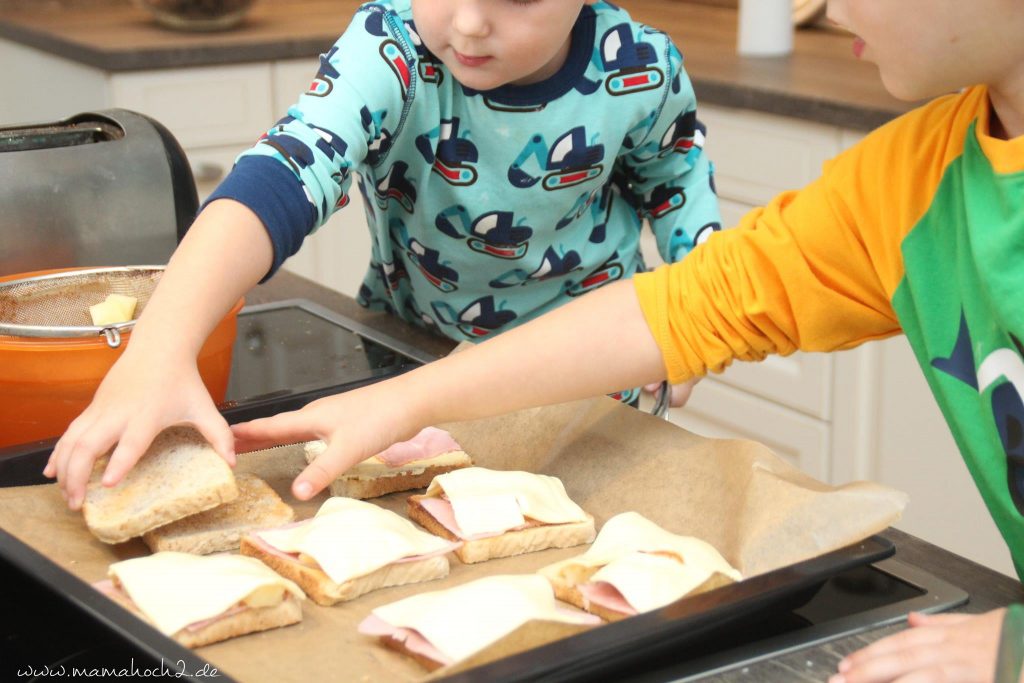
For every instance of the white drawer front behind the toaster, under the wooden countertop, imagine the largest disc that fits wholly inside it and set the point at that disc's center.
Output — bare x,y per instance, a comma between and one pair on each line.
207,107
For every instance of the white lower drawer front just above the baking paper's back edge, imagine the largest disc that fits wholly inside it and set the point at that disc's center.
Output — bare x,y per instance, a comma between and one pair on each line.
719,411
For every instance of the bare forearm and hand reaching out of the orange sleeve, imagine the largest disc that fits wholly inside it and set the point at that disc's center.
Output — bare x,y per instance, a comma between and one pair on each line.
587,349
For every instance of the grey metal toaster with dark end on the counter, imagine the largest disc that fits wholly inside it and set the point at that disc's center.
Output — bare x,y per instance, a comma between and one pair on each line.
101,189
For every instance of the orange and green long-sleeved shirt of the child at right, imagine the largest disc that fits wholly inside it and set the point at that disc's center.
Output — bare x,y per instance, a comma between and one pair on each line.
920,230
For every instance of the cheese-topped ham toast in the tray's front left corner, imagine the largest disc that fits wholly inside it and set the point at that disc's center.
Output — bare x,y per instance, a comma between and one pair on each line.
198,601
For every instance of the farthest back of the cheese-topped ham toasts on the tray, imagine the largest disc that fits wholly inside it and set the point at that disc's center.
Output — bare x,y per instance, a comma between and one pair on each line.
499,514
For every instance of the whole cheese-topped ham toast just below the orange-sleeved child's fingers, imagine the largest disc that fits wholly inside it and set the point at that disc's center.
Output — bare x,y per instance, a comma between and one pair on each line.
349,549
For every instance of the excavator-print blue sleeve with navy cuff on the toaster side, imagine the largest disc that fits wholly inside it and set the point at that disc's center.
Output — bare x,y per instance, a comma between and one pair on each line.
300,173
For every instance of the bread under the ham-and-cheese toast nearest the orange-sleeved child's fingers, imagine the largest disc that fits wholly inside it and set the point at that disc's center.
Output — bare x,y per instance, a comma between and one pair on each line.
324,591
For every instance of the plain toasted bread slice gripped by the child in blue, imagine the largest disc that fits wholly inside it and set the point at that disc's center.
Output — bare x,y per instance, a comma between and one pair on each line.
180,476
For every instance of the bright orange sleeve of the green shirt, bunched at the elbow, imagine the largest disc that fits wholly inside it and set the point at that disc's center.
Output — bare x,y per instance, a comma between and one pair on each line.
816,270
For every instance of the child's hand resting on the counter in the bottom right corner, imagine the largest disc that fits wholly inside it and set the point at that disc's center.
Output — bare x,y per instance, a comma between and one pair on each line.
937,648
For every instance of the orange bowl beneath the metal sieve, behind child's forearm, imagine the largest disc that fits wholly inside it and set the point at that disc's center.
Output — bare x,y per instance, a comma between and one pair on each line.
48,382
